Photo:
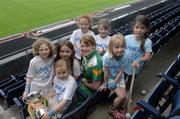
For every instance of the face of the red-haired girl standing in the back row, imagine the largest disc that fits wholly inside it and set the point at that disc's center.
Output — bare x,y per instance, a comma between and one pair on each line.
84,25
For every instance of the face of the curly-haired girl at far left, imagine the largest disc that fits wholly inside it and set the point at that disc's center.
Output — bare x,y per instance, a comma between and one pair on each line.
44,51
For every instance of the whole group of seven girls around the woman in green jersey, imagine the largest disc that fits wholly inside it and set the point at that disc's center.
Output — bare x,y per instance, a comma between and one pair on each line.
88,61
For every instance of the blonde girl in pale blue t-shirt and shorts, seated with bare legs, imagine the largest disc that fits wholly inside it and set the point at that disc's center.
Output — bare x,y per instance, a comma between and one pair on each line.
113,62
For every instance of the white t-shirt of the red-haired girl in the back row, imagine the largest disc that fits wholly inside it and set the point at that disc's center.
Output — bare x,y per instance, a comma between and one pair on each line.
75,39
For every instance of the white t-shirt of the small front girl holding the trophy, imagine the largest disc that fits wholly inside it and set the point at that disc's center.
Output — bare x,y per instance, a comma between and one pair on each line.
64,89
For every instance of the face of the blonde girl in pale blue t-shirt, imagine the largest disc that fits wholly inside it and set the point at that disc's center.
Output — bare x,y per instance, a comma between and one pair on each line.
118,49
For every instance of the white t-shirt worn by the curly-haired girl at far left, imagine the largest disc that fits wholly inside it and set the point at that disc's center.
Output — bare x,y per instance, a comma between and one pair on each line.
41,71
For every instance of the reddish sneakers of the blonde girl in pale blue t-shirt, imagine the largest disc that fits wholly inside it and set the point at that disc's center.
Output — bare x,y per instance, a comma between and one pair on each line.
116,114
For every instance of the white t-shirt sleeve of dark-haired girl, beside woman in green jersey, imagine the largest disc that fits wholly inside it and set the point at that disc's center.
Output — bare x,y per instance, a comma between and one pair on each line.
76,68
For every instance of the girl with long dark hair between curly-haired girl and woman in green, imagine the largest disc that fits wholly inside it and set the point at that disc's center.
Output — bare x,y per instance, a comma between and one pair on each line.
65,50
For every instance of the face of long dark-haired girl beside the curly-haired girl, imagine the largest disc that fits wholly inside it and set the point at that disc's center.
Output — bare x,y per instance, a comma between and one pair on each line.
65,52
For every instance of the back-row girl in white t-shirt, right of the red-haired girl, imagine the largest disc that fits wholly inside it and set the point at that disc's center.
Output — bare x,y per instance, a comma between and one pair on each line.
102,39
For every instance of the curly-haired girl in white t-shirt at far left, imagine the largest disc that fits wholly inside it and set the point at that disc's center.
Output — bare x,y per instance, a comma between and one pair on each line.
41,67
